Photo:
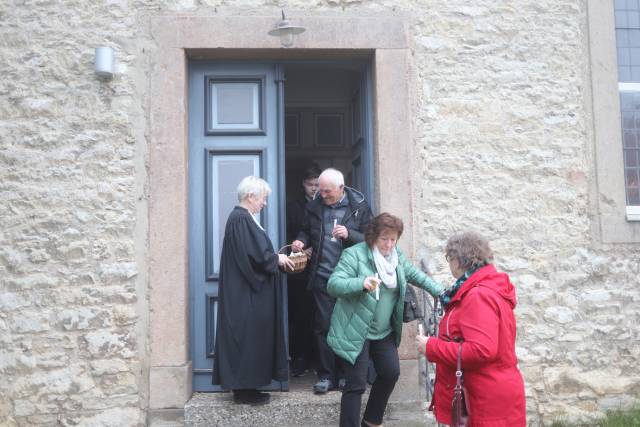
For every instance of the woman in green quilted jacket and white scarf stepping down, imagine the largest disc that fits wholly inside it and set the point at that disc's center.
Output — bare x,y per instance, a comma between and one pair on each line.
369,283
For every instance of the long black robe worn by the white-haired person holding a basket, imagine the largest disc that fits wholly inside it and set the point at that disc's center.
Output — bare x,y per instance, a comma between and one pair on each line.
250,347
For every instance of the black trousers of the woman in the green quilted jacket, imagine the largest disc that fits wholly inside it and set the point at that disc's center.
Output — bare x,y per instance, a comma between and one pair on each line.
384,355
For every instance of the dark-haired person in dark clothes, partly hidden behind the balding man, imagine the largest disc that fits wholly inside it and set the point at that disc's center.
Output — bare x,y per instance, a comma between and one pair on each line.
300,301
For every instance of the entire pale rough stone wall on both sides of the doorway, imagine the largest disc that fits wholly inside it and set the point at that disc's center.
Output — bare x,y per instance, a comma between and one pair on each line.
502,131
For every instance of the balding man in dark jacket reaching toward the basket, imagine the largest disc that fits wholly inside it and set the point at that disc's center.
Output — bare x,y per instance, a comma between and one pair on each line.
334,221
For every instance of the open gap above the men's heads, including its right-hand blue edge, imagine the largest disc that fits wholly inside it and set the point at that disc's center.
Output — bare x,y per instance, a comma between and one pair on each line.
327,110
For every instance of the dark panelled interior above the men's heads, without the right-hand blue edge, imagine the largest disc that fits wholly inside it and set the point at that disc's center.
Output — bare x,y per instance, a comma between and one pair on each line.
319,119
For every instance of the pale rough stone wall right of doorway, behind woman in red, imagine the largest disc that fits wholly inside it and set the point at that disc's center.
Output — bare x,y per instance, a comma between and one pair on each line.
503,133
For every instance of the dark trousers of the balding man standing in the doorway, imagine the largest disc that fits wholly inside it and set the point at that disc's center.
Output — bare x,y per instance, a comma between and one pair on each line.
323,308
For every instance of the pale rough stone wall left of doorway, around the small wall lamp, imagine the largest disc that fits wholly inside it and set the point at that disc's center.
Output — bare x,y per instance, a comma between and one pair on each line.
72,276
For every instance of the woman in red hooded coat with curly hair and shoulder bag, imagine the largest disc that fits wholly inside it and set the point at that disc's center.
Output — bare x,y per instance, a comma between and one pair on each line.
478,311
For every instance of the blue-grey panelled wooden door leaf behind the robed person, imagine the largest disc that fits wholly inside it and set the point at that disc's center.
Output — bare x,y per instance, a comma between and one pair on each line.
235,130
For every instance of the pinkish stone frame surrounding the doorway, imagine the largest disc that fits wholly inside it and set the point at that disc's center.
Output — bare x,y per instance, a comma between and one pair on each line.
179,38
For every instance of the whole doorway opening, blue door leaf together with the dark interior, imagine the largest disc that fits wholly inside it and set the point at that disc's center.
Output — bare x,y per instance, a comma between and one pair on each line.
327,119
